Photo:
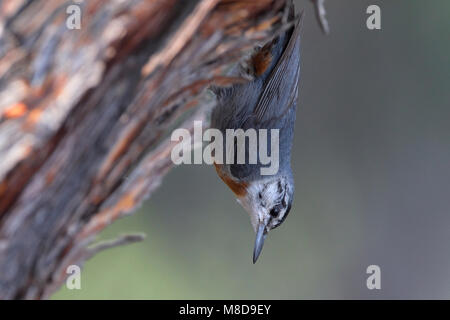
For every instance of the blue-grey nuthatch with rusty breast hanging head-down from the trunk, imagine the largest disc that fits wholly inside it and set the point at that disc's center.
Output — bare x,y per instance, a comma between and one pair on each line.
268,101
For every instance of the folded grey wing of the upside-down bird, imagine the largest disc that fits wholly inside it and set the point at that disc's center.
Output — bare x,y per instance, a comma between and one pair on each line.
280,91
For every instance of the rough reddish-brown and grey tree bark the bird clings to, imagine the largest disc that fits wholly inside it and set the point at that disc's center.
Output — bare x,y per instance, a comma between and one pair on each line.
85,115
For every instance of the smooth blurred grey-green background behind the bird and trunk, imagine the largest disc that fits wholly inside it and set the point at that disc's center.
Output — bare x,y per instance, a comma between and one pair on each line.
372,169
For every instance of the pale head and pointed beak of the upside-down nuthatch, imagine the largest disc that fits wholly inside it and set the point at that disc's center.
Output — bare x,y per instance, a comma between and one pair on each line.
268,203
